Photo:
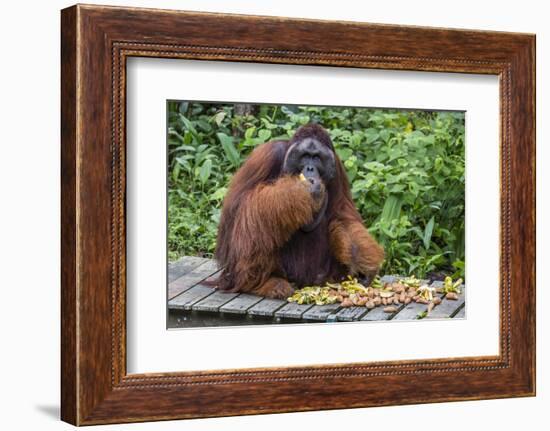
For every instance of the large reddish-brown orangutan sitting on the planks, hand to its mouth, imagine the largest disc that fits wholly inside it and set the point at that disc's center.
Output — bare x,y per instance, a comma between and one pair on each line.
289,217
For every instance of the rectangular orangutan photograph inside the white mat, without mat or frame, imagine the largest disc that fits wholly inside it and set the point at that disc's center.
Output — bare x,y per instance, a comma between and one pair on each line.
328,263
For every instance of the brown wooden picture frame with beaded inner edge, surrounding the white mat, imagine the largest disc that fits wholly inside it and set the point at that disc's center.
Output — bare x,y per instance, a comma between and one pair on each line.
95,43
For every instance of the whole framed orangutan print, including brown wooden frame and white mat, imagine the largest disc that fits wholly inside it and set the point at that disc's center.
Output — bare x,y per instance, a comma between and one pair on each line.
258,208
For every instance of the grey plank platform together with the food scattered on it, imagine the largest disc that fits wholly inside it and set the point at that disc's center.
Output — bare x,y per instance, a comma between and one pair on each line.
193,301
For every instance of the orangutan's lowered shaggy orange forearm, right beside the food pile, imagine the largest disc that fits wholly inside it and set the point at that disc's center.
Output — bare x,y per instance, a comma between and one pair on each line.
353,246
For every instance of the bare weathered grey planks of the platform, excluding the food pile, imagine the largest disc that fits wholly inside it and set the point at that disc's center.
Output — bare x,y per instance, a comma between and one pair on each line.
192,300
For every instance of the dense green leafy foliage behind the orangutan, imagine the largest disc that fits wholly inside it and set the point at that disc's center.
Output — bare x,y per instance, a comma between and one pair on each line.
406,170
